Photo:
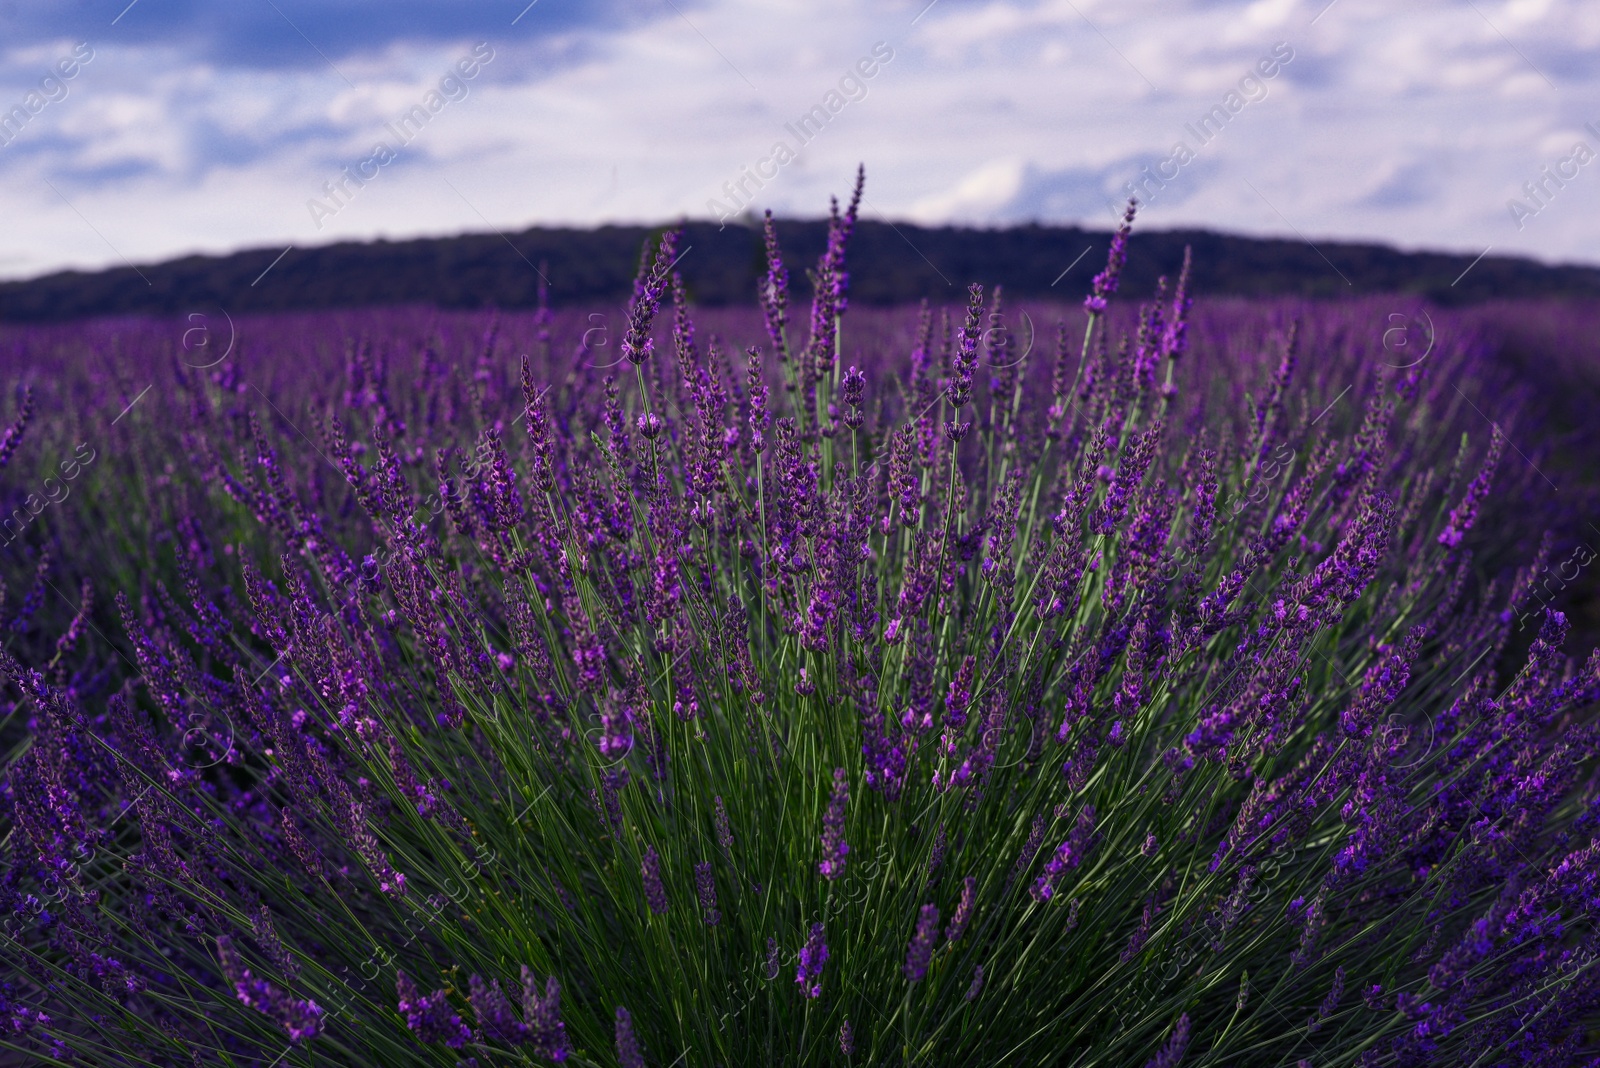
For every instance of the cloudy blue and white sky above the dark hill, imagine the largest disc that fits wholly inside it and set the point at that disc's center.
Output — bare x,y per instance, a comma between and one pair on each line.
198,126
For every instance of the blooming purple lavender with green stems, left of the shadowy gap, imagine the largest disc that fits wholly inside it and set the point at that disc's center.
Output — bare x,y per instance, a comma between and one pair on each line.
1138,690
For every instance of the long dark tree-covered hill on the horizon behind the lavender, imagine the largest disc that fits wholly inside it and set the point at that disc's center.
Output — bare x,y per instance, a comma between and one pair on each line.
889,265
